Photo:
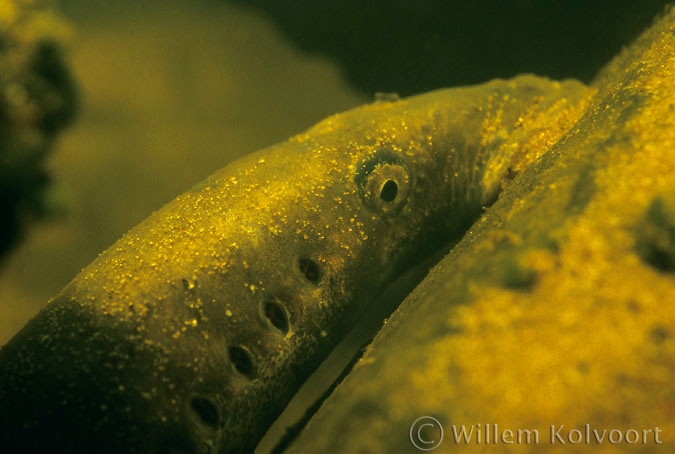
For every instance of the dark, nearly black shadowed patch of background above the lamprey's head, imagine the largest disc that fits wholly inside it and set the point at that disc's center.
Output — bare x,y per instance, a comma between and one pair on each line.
409,47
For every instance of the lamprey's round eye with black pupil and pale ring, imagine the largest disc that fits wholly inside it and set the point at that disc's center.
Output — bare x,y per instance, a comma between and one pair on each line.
384,183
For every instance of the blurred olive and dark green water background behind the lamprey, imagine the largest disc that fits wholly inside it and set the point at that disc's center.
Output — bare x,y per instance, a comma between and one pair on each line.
171,91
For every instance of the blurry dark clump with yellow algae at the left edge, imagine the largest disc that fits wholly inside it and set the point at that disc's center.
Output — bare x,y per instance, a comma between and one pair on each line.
37,99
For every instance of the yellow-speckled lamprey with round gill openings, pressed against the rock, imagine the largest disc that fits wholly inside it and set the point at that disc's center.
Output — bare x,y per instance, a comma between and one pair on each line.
193,331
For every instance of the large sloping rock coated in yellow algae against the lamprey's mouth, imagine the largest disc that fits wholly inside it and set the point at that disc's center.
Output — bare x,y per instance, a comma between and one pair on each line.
551,323
